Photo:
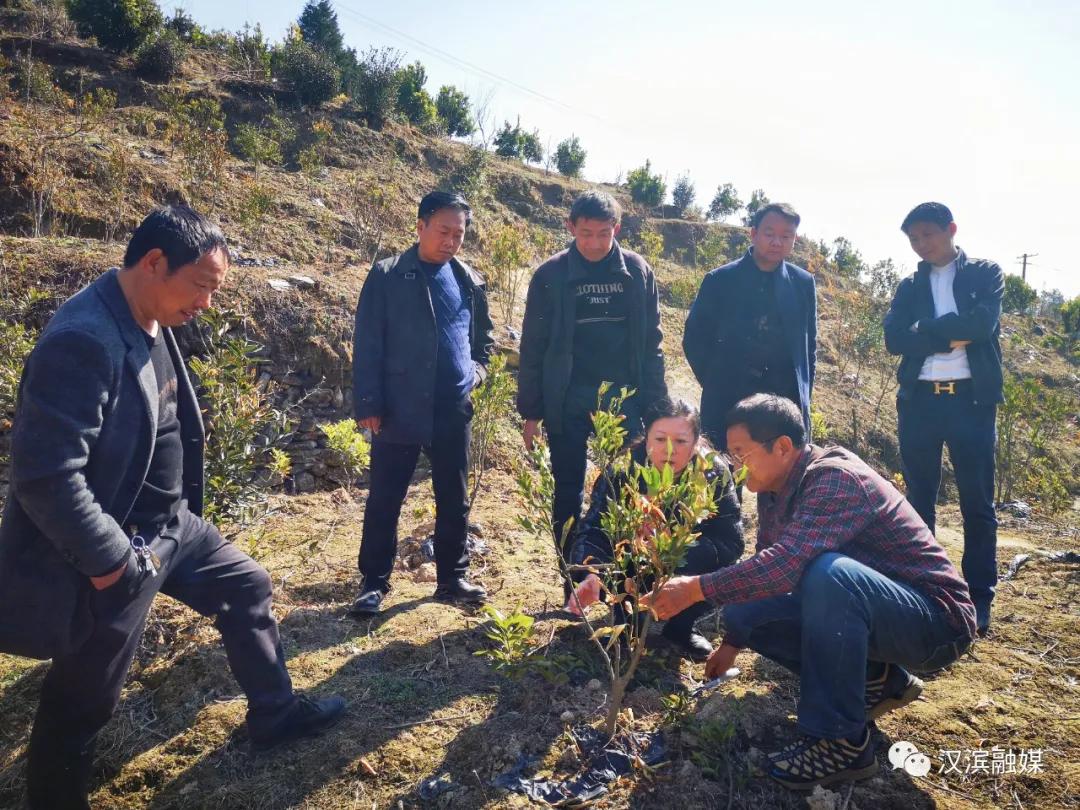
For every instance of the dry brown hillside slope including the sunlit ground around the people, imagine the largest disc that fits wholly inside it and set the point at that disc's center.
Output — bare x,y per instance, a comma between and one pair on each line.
422,705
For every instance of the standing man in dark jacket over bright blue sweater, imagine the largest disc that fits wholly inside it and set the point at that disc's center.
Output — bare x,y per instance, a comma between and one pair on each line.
421,346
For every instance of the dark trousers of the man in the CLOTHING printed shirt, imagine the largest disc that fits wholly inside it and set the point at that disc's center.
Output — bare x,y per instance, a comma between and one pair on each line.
570,455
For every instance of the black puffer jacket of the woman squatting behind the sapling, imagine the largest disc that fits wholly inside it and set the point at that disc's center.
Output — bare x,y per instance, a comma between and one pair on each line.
719,545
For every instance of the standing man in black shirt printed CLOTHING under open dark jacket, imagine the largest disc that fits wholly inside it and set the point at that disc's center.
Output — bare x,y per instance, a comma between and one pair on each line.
592,316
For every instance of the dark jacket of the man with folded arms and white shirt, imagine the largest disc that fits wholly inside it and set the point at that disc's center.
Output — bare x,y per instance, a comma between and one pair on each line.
979,288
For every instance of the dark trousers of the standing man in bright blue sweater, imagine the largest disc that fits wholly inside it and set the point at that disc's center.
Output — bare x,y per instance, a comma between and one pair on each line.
393,468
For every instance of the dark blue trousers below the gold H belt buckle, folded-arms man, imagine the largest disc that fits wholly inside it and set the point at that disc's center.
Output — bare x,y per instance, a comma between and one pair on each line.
929,422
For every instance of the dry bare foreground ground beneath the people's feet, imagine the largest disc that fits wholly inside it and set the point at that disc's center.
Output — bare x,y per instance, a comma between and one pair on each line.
423,706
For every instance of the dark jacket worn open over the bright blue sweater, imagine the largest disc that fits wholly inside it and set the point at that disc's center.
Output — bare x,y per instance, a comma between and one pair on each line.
395,346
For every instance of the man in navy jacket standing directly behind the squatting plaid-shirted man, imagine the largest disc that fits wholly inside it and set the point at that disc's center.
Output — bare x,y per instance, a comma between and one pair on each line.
753,328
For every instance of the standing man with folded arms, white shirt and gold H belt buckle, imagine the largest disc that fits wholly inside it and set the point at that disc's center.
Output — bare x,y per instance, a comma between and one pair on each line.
944,322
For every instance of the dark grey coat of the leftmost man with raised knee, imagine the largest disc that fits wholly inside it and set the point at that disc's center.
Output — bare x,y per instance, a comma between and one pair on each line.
82,447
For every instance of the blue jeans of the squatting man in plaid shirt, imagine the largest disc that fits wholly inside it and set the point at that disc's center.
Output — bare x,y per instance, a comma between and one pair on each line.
843,618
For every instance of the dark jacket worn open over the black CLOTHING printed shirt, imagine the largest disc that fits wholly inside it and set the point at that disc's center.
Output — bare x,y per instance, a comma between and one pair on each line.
547,361
